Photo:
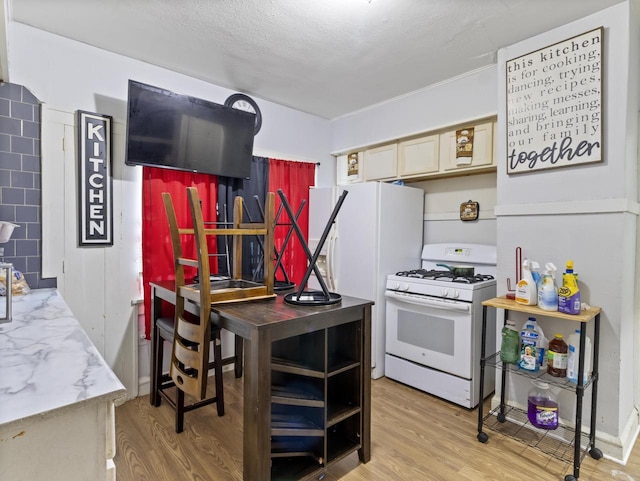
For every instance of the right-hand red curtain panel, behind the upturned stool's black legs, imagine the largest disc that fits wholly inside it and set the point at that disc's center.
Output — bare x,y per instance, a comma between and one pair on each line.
294,178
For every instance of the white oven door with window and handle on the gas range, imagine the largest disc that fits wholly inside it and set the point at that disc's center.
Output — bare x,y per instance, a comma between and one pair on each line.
436,333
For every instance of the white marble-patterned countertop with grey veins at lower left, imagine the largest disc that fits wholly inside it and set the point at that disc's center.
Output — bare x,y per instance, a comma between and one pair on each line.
47,361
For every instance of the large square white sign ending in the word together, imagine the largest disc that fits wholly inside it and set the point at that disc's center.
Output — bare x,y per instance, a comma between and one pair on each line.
554,105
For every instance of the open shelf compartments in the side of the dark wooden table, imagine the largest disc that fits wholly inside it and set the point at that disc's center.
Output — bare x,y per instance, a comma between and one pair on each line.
316,394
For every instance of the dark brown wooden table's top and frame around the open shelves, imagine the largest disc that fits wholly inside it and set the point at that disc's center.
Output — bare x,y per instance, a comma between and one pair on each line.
260,324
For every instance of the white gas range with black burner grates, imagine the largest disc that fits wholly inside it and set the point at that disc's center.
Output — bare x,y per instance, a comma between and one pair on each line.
434,321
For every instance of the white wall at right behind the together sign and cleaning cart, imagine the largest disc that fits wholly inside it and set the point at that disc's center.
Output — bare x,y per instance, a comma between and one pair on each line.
588,214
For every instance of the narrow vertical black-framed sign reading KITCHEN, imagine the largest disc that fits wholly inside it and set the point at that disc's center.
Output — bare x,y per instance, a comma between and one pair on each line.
95,203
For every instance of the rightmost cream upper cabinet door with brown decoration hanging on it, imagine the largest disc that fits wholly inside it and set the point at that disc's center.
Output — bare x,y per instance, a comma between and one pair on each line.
467,147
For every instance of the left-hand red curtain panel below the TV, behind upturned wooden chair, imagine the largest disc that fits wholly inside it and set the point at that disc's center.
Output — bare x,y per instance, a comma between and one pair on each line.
157,254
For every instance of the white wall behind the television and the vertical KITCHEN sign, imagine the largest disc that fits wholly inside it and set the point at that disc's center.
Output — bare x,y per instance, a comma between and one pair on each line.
99,283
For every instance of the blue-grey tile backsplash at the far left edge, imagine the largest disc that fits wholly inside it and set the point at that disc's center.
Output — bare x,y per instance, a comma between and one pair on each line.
20,189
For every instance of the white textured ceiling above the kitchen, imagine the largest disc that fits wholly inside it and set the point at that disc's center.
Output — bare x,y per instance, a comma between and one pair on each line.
325,57
